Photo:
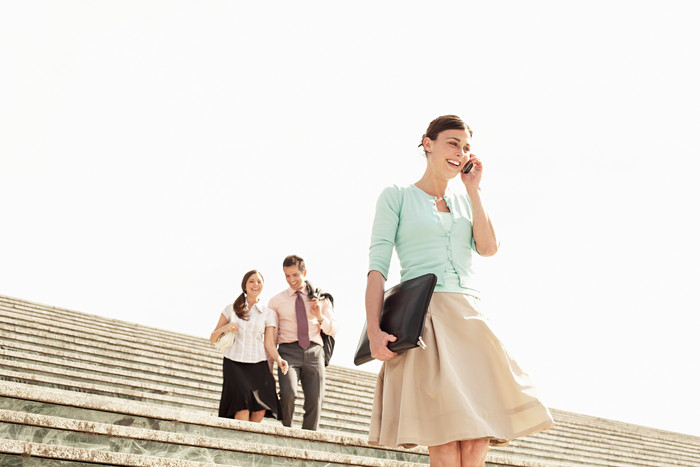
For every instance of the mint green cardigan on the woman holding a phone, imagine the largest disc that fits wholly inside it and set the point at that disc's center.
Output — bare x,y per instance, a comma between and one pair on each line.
406,218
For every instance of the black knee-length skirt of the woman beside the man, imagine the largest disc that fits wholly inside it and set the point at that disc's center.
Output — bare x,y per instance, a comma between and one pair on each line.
248,386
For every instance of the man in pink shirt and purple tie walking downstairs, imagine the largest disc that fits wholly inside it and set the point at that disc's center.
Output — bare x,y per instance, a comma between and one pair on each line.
299,324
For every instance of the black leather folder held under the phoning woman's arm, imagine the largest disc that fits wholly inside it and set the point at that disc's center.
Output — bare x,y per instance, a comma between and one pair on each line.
403,315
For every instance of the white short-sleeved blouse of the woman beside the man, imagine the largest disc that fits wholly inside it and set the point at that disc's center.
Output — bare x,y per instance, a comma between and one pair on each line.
249,343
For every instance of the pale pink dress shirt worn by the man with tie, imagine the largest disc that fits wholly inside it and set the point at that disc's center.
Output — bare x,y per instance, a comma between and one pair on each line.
284,304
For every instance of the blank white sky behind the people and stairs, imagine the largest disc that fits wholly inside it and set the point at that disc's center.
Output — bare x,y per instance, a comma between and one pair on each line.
151,152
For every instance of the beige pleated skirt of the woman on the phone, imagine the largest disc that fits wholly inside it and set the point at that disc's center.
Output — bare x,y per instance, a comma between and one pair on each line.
463,385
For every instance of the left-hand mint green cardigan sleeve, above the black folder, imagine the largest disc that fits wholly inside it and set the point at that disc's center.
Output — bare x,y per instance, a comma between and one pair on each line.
386,222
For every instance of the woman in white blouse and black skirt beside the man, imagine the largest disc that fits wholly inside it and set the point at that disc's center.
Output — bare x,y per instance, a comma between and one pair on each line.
249,391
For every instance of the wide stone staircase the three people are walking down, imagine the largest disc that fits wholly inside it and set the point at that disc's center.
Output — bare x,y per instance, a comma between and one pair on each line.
78,389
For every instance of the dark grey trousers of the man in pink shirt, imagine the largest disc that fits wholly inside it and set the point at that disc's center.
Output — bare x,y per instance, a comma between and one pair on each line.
308,367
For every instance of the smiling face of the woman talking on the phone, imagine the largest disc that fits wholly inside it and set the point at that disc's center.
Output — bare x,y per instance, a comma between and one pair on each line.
448,152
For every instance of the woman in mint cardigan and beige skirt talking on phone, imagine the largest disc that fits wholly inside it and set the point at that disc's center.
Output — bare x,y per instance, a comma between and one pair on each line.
463,392
